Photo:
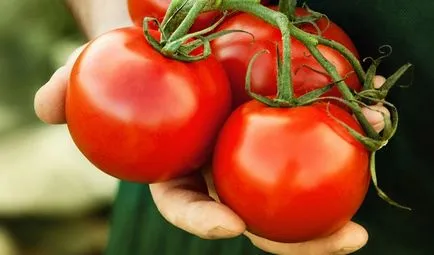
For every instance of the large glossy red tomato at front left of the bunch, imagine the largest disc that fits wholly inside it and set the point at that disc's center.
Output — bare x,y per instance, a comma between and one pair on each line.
140,116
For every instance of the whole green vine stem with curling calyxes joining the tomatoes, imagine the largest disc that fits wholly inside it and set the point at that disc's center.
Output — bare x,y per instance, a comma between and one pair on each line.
176,43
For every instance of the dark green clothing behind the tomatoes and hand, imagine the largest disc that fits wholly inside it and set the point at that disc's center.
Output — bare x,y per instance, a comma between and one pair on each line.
405,166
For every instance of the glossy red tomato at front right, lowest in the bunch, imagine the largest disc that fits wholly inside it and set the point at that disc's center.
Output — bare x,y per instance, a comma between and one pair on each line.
292,174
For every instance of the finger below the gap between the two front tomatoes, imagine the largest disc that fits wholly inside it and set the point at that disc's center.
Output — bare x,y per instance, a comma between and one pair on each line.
184,203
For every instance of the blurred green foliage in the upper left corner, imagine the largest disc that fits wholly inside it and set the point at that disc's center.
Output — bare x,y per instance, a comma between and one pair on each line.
35,37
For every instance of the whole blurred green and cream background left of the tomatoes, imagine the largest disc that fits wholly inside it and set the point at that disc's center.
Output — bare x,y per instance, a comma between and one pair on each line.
42,211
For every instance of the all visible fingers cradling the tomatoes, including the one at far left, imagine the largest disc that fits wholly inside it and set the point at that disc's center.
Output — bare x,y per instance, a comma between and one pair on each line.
190,202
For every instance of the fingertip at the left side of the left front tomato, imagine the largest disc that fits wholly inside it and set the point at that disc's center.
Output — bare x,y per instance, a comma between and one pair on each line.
49,102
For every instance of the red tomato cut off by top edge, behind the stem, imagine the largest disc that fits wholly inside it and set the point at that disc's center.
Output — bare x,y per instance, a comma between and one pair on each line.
139,9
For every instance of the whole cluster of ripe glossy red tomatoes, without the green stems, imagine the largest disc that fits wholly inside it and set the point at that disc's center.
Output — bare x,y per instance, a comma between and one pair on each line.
292,174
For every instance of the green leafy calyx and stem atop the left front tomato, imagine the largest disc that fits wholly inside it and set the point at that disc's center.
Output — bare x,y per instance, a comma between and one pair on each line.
175,42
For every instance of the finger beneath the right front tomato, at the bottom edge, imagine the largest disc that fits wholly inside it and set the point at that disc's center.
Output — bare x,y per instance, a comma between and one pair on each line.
345,241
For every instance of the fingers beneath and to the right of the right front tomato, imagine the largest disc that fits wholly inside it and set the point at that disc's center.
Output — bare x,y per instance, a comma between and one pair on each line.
200,214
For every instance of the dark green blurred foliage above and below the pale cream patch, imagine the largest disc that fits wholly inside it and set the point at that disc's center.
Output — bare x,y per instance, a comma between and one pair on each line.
36,36
